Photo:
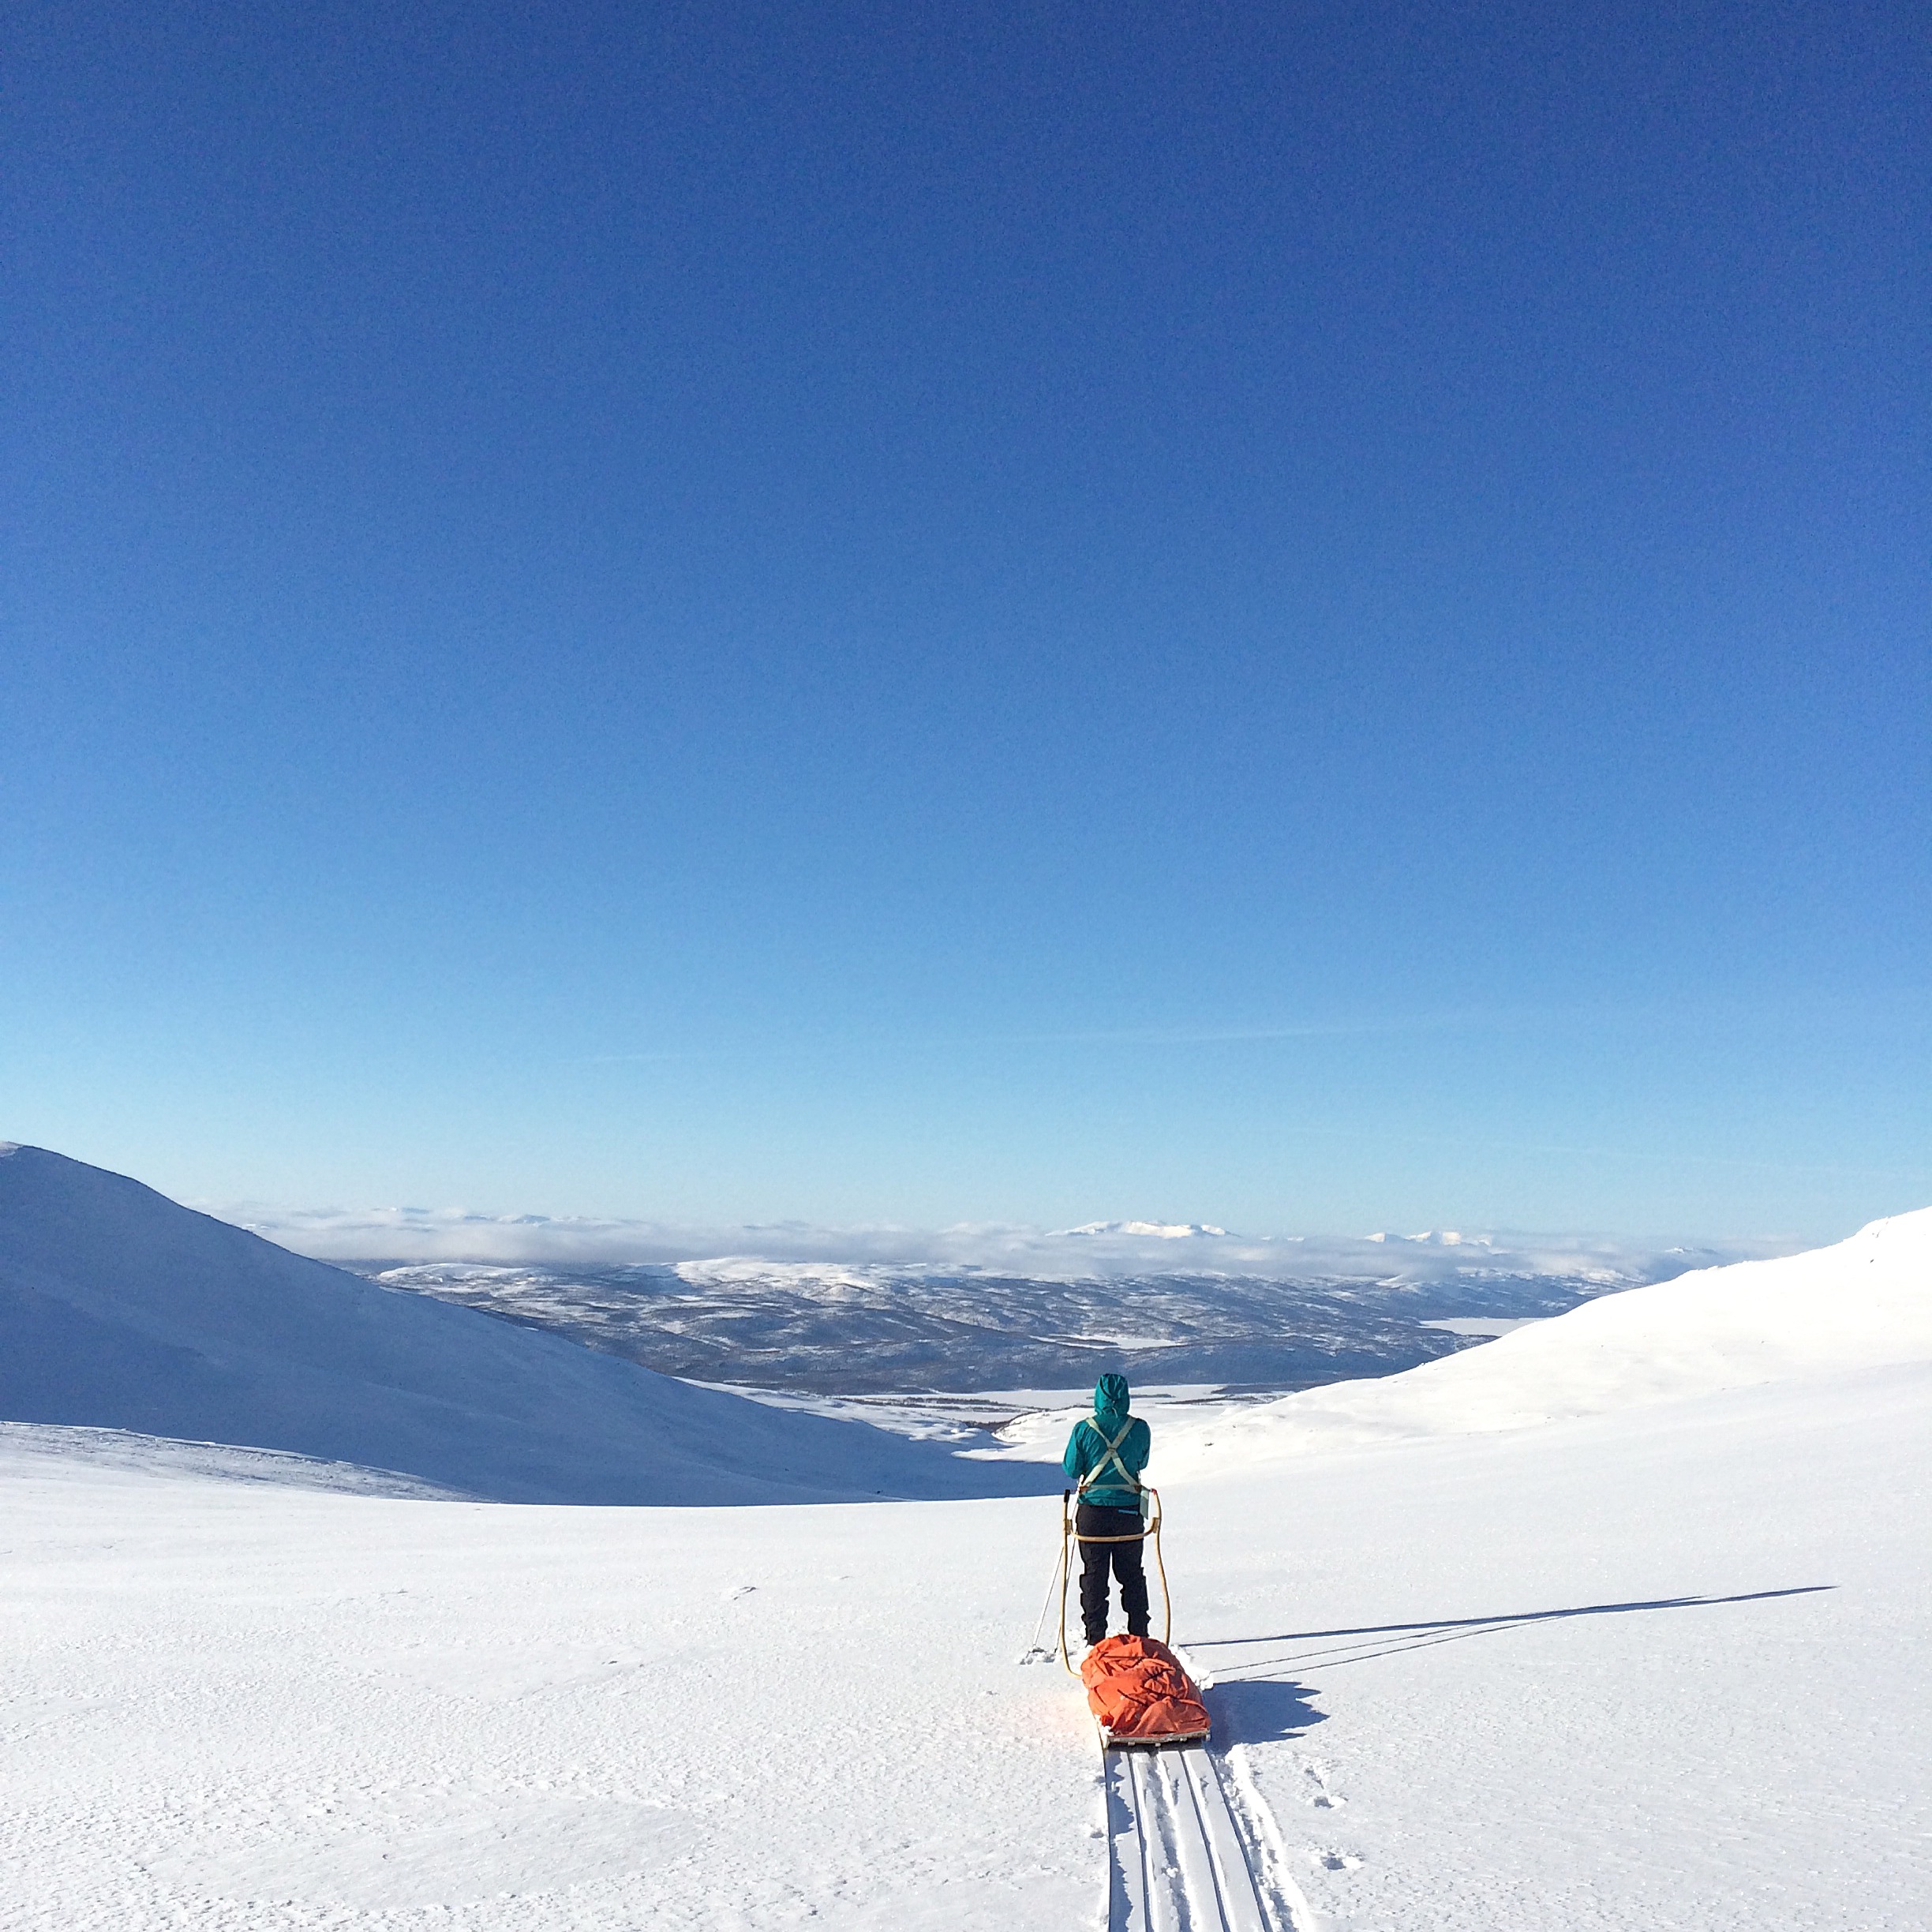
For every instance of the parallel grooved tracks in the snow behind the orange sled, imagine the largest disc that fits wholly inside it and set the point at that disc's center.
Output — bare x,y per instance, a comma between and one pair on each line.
1178,1856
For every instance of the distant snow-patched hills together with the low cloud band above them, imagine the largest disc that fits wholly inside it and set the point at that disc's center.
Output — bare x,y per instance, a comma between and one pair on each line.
876,1311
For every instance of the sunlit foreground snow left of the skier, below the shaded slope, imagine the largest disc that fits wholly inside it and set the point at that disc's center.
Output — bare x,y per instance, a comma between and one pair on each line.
235,1709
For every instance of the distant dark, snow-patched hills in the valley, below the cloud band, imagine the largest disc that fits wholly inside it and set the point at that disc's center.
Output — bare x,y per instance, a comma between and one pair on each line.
868,1328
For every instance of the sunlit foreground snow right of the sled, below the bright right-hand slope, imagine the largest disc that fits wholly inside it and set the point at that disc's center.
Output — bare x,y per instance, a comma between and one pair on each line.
1463,1717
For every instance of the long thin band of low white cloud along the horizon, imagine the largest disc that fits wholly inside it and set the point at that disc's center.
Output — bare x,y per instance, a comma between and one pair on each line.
1096,1251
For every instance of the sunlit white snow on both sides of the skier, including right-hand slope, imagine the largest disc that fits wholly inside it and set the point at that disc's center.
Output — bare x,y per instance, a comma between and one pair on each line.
1616,1622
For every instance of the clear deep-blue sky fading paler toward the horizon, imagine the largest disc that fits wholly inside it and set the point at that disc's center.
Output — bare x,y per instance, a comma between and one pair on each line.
1288,615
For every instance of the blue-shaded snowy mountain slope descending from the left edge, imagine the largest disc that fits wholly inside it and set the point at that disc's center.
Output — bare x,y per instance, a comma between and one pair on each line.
123,1311
